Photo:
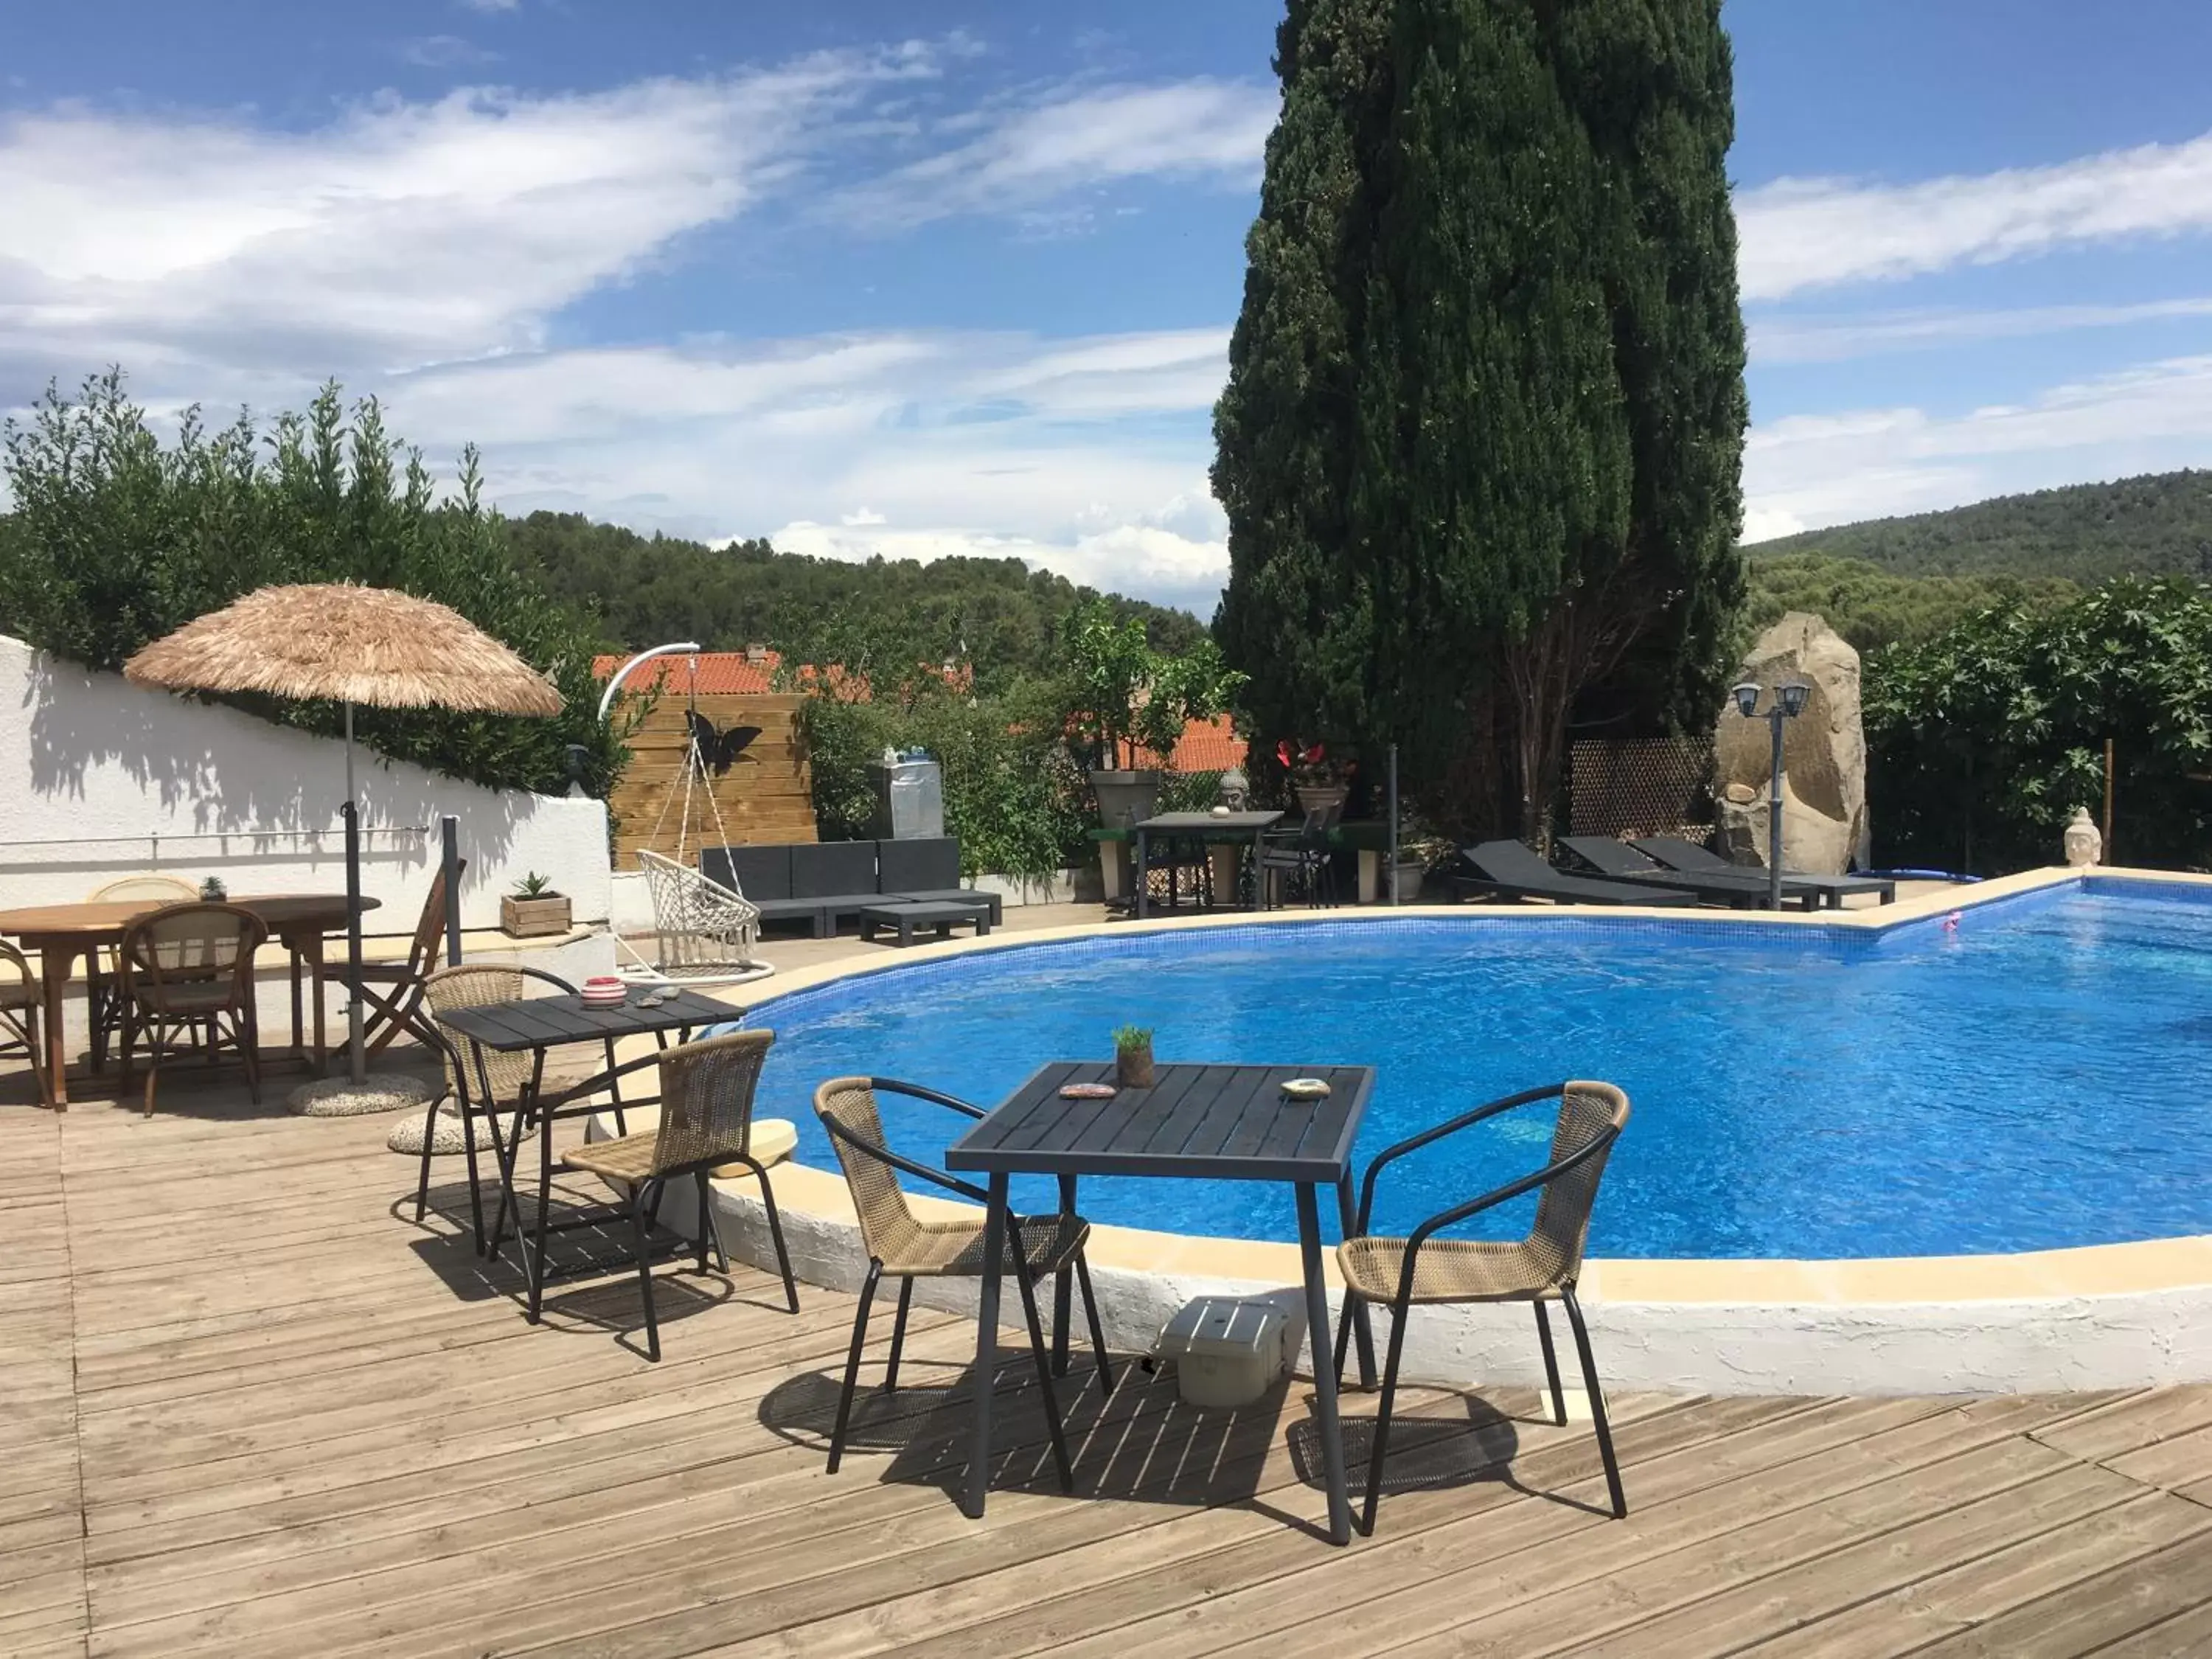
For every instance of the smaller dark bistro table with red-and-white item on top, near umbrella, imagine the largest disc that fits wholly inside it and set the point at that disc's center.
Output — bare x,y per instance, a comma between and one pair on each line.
536,1027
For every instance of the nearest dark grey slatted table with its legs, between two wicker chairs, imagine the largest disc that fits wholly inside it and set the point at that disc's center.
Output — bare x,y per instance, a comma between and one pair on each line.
1207,1123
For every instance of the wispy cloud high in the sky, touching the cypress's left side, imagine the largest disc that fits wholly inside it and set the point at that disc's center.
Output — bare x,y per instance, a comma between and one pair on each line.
1039,154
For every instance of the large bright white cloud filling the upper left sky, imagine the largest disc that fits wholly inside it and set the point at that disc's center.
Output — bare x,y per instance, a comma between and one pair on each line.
399,233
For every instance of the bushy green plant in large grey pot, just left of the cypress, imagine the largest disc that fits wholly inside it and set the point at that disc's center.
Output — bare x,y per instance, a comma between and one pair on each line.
1129,705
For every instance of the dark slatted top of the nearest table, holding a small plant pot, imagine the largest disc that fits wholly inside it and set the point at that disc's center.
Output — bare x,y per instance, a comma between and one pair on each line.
1224,1123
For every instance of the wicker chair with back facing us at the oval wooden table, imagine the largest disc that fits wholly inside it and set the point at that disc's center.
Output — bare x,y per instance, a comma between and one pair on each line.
189,972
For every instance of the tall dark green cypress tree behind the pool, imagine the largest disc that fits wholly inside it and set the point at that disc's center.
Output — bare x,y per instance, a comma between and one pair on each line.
1485,404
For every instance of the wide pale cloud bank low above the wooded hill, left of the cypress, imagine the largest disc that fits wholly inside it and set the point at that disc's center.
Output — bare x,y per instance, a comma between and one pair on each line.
1087,457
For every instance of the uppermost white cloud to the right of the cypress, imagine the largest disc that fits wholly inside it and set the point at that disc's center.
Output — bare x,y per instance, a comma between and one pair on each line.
1822,233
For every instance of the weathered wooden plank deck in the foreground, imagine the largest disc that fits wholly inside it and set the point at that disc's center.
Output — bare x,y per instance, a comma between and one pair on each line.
249,1408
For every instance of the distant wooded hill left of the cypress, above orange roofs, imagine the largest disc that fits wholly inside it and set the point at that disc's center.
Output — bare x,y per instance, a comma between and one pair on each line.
997,616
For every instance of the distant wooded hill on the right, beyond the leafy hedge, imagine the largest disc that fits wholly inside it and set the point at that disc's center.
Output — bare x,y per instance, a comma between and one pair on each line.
2151,525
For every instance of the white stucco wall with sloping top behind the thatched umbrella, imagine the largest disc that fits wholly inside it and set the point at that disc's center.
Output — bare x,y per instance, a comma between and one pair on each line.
103,780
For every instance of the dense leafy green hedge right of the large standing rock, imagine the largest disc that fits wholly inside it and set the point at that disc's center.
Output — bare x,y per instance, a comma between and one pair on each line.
1985,740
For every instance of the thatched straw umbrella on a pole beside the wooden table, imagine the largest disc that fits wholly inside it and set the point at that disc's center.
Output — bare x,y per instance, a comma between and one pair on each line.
346,645
